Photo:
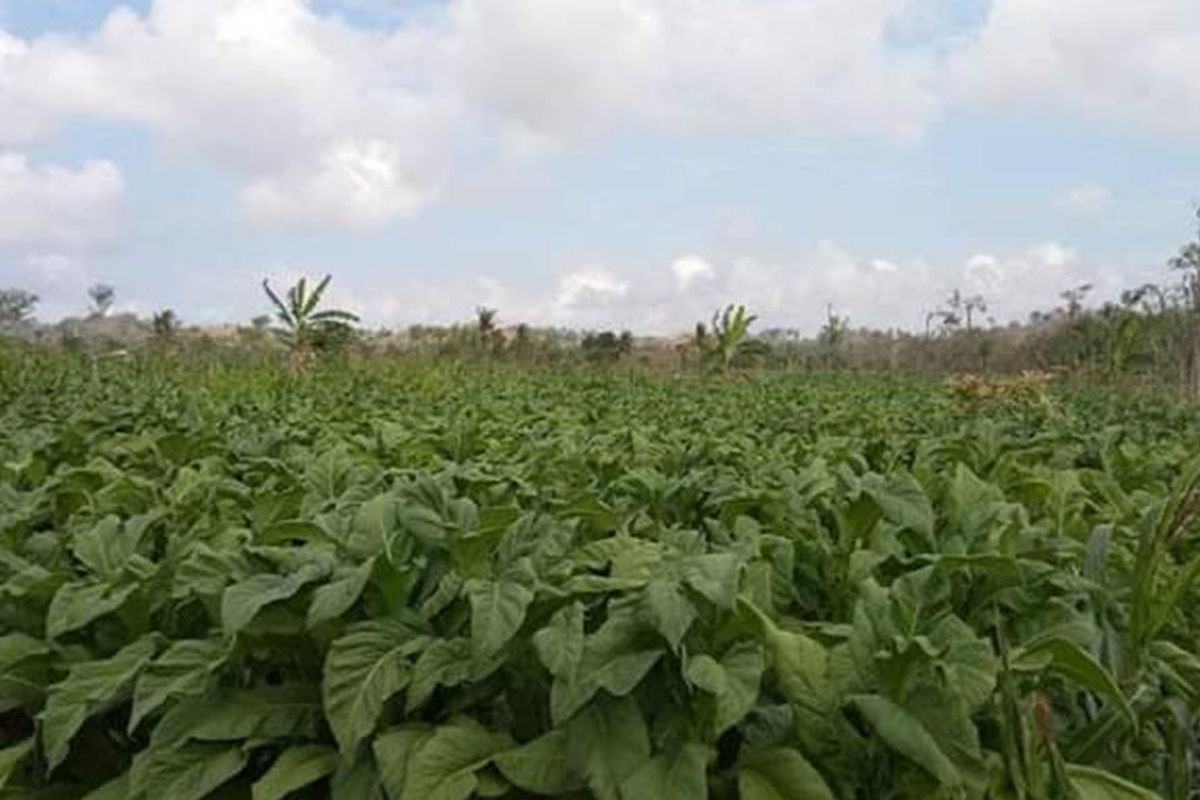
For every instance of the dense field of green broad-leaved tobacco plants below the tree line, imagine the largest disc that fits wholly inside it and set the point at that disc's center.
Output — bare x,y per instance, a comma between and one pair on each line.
437,584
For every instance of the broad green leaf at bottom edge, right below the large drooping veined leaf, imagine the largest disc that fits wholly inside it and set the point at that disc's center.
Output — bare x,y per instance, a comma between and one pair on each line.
445,766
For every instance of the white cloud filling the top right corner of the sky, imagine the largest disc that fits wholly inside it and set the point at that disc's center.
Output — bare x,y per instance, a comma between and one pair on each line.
1135,63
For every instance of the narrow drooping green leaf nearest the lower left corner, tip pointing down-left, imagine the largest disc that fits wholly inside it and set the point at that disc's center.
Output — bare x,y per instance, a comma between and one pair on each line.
89,688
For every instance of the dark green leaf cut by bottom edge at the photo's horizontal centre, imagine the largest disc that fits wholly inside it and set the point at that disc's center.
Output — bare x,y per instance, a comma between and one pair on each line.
607,743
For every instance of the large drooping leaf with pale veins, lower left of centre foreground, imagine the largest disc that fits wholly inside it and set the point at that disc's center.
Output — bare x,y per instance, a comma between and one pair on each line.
363,671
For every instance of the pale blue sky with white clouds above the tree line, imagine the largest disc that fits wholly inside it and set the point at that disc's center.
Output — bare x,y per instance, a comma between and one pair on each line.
596,164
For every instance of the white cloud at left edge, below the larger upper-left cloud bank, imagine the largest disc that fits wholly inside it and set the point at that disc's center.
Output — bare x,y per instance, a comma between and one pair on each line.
58,208
